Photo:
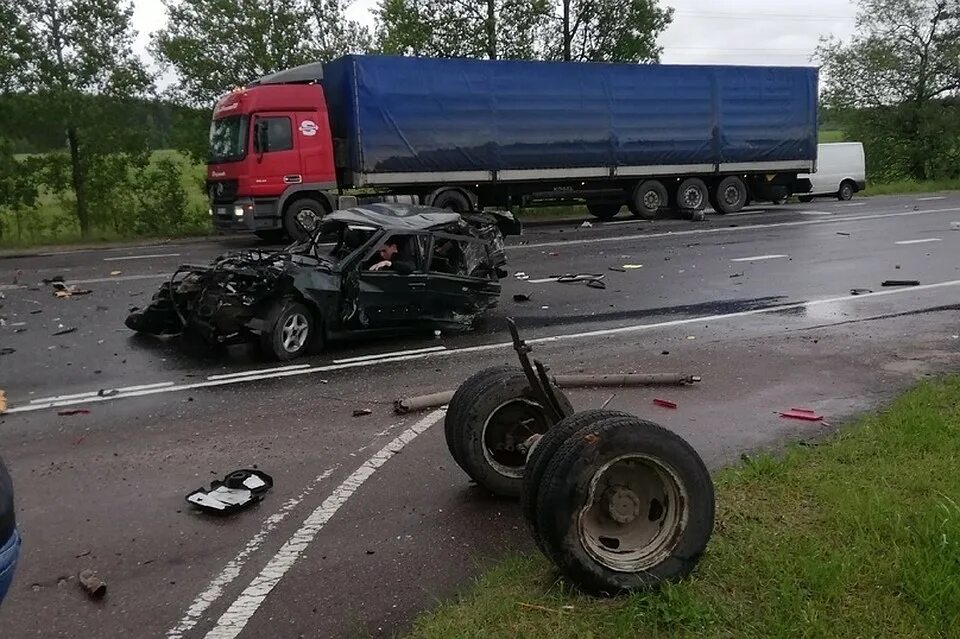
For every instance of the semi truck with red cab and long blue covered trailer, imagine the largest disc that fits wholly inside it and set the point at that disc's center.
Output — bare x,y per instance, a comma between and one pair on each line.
465,135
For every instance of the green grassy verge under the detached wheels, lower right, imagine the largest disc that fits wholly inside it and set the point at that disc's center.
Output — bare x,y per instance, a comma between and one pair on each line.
856,537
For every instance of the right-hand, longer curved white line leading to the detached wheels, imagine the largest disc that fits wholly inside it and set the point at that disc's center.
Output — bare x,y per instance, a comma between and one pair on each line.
233,621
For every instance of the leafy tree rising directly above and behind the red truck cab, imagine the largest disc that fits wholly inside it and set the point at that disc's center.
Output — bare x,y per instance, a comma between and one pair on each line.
217,45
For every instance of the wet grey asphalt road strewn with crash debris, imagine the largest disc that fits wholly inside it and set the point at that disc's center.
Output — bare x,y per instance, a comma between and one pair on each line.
370,521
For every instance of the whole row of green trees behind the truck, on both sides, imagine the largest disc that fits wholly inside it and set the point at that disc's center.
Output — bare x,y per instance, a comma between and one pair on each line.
90,110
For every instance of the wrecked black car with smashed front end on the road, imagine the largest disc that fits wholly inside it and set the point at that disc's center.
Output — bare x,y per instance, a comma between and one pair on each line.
391,266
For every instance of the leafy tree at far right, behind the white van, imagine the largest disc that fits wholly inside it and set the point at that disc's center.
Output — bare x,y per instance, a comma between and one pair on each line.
895,85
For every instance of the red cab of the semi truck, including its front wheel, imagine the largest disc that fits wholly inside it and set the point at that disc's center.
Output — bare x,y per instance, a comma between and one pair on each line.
271,163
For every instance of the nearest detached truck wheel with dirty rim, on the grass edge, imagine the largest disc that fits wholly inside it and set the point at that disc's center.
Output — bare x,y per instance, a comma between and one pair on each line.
673,534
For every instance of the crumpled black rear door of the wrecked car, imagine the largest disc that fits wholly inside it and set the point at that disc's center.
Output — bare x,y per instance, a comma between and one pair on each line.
461,278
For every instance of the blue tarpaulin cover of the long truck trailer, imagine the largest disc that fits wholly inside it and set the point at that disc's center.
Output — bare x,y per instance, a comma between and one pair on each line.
401,114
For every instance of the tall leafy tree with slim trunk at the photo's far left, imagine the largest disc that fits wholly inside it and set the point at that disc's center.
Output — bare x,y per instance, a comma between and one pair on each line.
76,64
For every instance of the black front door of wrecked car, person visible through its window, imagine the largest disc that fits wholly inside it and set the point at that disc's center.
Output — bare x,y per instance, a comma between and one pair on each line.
389,299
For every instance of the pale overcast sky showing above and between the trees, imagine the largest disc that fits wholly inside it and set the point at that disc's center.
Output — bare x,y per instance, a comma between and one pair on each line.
703,31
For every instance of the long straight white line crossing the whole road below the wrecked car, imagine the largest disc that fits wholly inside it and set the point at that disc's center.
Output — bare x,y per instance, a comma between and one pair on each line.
168,387
